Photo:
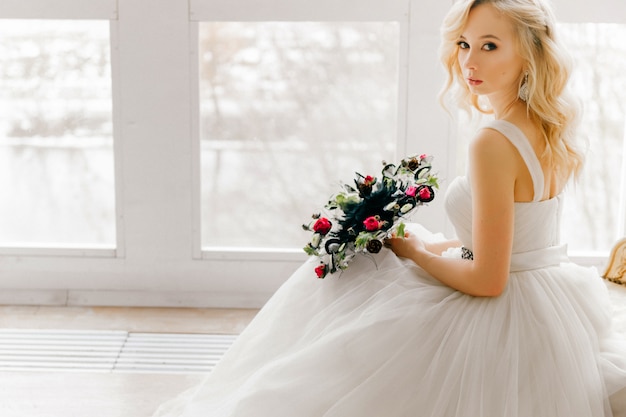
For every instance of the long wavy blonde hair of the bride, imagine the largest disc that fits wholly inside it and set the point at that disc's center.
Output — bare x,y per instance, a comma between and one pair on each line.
549,104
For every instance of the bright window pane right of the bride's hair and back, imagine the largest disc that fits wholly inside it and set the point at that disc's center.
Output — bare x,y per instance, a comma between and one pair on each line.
591,216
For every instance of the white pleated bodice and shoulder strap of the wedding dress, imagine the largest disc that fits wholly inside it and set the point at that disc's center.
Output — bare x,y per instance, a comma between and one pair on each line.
536,223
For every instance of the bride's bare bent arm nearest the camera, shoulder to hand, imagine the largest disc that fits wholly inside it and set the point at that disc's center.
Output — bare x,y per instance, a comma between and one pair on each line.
494,164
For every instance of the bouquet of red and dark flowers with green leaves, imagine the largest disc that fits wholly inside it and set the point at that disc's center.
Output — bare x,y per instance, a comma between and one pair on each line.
359,218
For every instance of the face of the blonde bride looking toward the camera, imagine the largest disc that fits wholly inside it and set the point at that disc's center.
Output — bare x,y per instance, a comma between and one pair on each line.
488,54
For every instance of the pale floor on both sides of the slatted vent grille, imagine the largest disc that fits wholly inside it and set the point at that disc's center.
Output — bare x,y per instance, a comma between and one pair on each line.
125,394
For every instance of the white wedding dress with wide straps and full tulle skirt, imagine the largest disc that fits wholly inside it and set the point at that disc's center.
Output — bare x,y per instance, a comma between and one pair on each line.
385,339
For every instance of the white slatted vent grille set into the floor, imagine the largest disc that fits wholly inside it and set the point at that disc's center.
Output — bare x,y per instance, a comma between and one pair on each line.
110,351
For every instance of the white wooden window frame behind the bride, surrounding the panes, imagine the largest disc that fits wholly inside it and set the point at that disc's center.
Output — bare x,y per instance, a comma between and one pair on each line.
158,260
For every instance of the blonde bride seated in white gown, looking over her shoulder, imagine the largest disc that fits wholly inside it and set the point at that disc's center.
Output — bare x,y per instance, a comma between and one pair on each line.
495,324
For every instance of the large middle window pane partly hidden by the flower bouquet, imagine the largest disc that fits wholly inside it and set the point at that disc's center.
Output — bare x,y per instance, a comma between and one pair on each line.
288,110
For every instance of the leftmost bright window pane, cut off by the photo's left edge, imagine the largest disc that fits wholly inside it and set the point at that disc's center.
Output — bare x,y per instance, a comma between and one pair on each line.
56,153
